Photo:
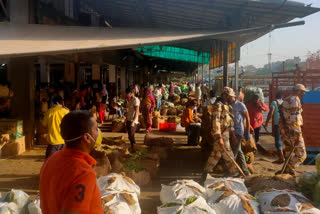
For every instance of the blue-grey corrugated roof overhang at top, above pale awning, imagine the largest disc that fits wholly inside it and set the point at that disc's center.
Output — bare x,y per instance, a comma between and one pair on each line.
200,14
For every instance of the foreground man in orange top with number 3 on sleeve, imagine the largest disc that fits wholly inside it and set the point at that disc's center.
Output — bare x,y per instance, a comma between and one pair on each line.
67,181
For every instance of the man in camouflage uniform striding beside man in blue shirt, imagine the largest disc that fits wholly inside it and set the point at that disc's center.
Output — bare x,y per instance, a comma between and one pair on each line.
221,126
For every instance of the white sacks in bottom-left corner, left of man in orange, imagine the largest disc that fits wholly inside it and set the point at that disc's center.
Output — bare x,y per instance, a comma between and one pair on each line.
18,202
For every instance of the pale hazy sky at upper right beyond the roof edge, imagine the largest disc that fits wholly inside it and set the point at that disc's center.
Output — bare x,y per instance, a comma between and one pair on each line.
286,42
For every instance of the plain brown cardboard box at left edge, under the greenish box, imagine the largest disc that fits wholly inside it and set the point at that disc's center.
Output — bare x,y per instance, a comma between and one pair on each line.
14,147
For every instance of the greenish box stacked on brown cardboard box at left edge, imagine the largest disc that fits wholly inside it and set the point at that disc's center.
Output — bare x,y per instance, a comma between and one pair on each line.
12,127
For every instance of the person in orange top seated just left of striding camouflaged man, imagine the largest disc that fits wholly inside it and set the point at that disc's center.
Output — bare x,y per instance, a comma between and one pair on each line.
190,122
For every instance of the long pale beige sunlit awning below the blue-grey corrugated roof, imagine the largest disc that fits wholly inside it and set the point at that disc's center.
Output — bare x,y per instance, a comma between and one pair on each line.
30,40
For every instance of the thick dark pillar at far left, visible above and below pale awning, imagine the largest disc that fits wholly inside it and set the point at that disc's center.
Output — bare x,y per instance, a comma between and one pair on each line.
21,74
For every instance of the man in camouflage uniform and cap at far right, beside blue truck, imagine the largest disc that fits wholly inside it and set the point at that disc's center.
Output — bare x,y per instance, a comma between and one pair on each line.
290,128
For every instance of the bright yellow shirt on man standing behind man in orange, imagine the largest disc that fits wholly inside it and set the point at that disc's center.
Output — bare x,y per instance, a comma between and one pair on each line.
52,119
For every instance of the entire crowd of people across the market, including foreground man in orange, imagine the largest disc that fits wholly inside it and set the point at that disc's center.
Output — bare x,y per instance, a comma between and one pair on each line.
227,121
